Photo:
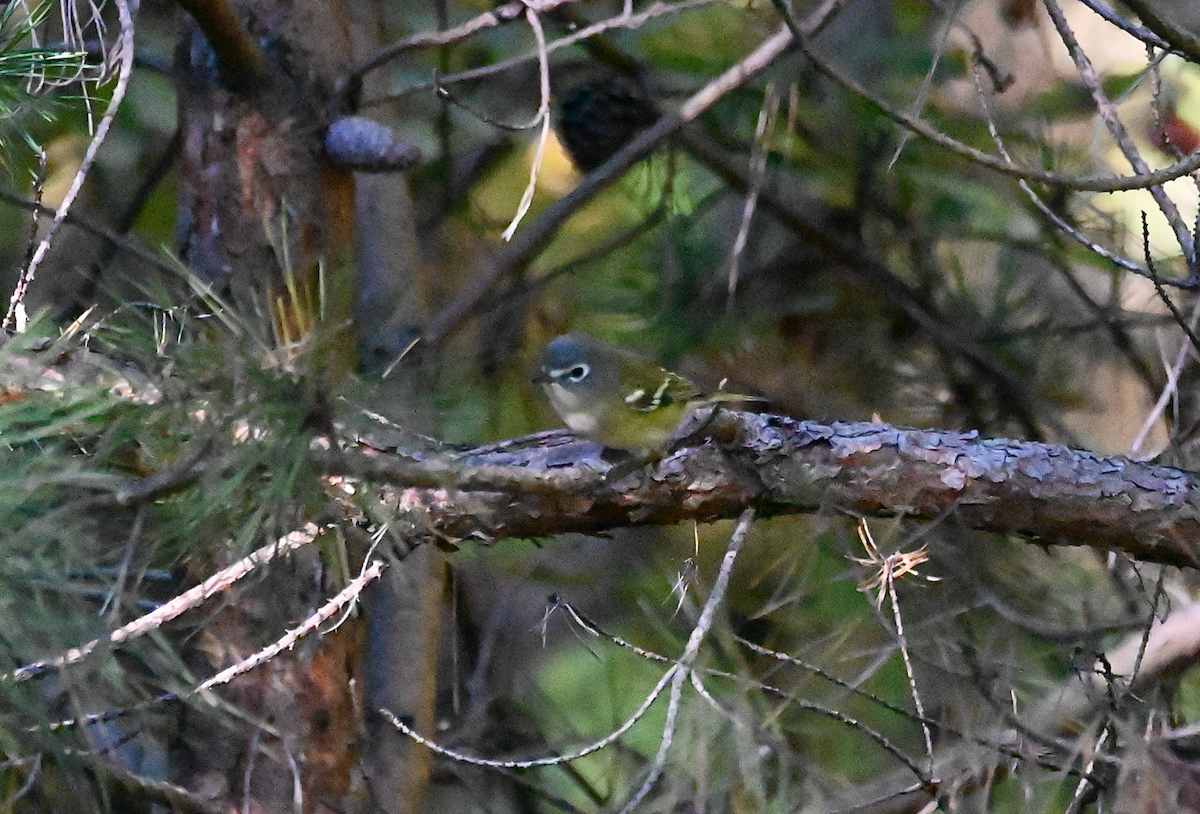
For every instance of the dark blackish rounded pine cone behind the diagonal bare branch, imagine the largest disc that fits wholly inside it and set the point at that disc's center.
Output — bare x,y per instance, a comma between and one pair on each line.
598,118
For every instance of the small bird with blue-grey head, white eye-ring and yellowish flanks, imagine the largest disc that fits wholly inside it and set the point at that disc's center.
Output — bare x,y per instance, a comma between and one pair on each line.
616,398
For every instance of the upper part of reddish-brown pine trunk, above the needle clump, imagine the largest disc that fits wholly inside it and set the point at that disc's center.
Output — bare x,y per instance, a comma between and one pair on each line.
263,214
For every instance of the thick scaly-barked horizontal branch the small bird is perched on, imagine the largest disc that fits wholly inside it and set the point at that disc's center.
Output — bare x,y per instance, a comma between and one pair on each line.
1048,493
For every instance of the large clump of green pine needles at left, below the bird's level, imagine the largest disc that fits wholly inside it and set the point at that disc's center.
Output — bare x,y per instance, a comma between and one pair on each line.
112,475
